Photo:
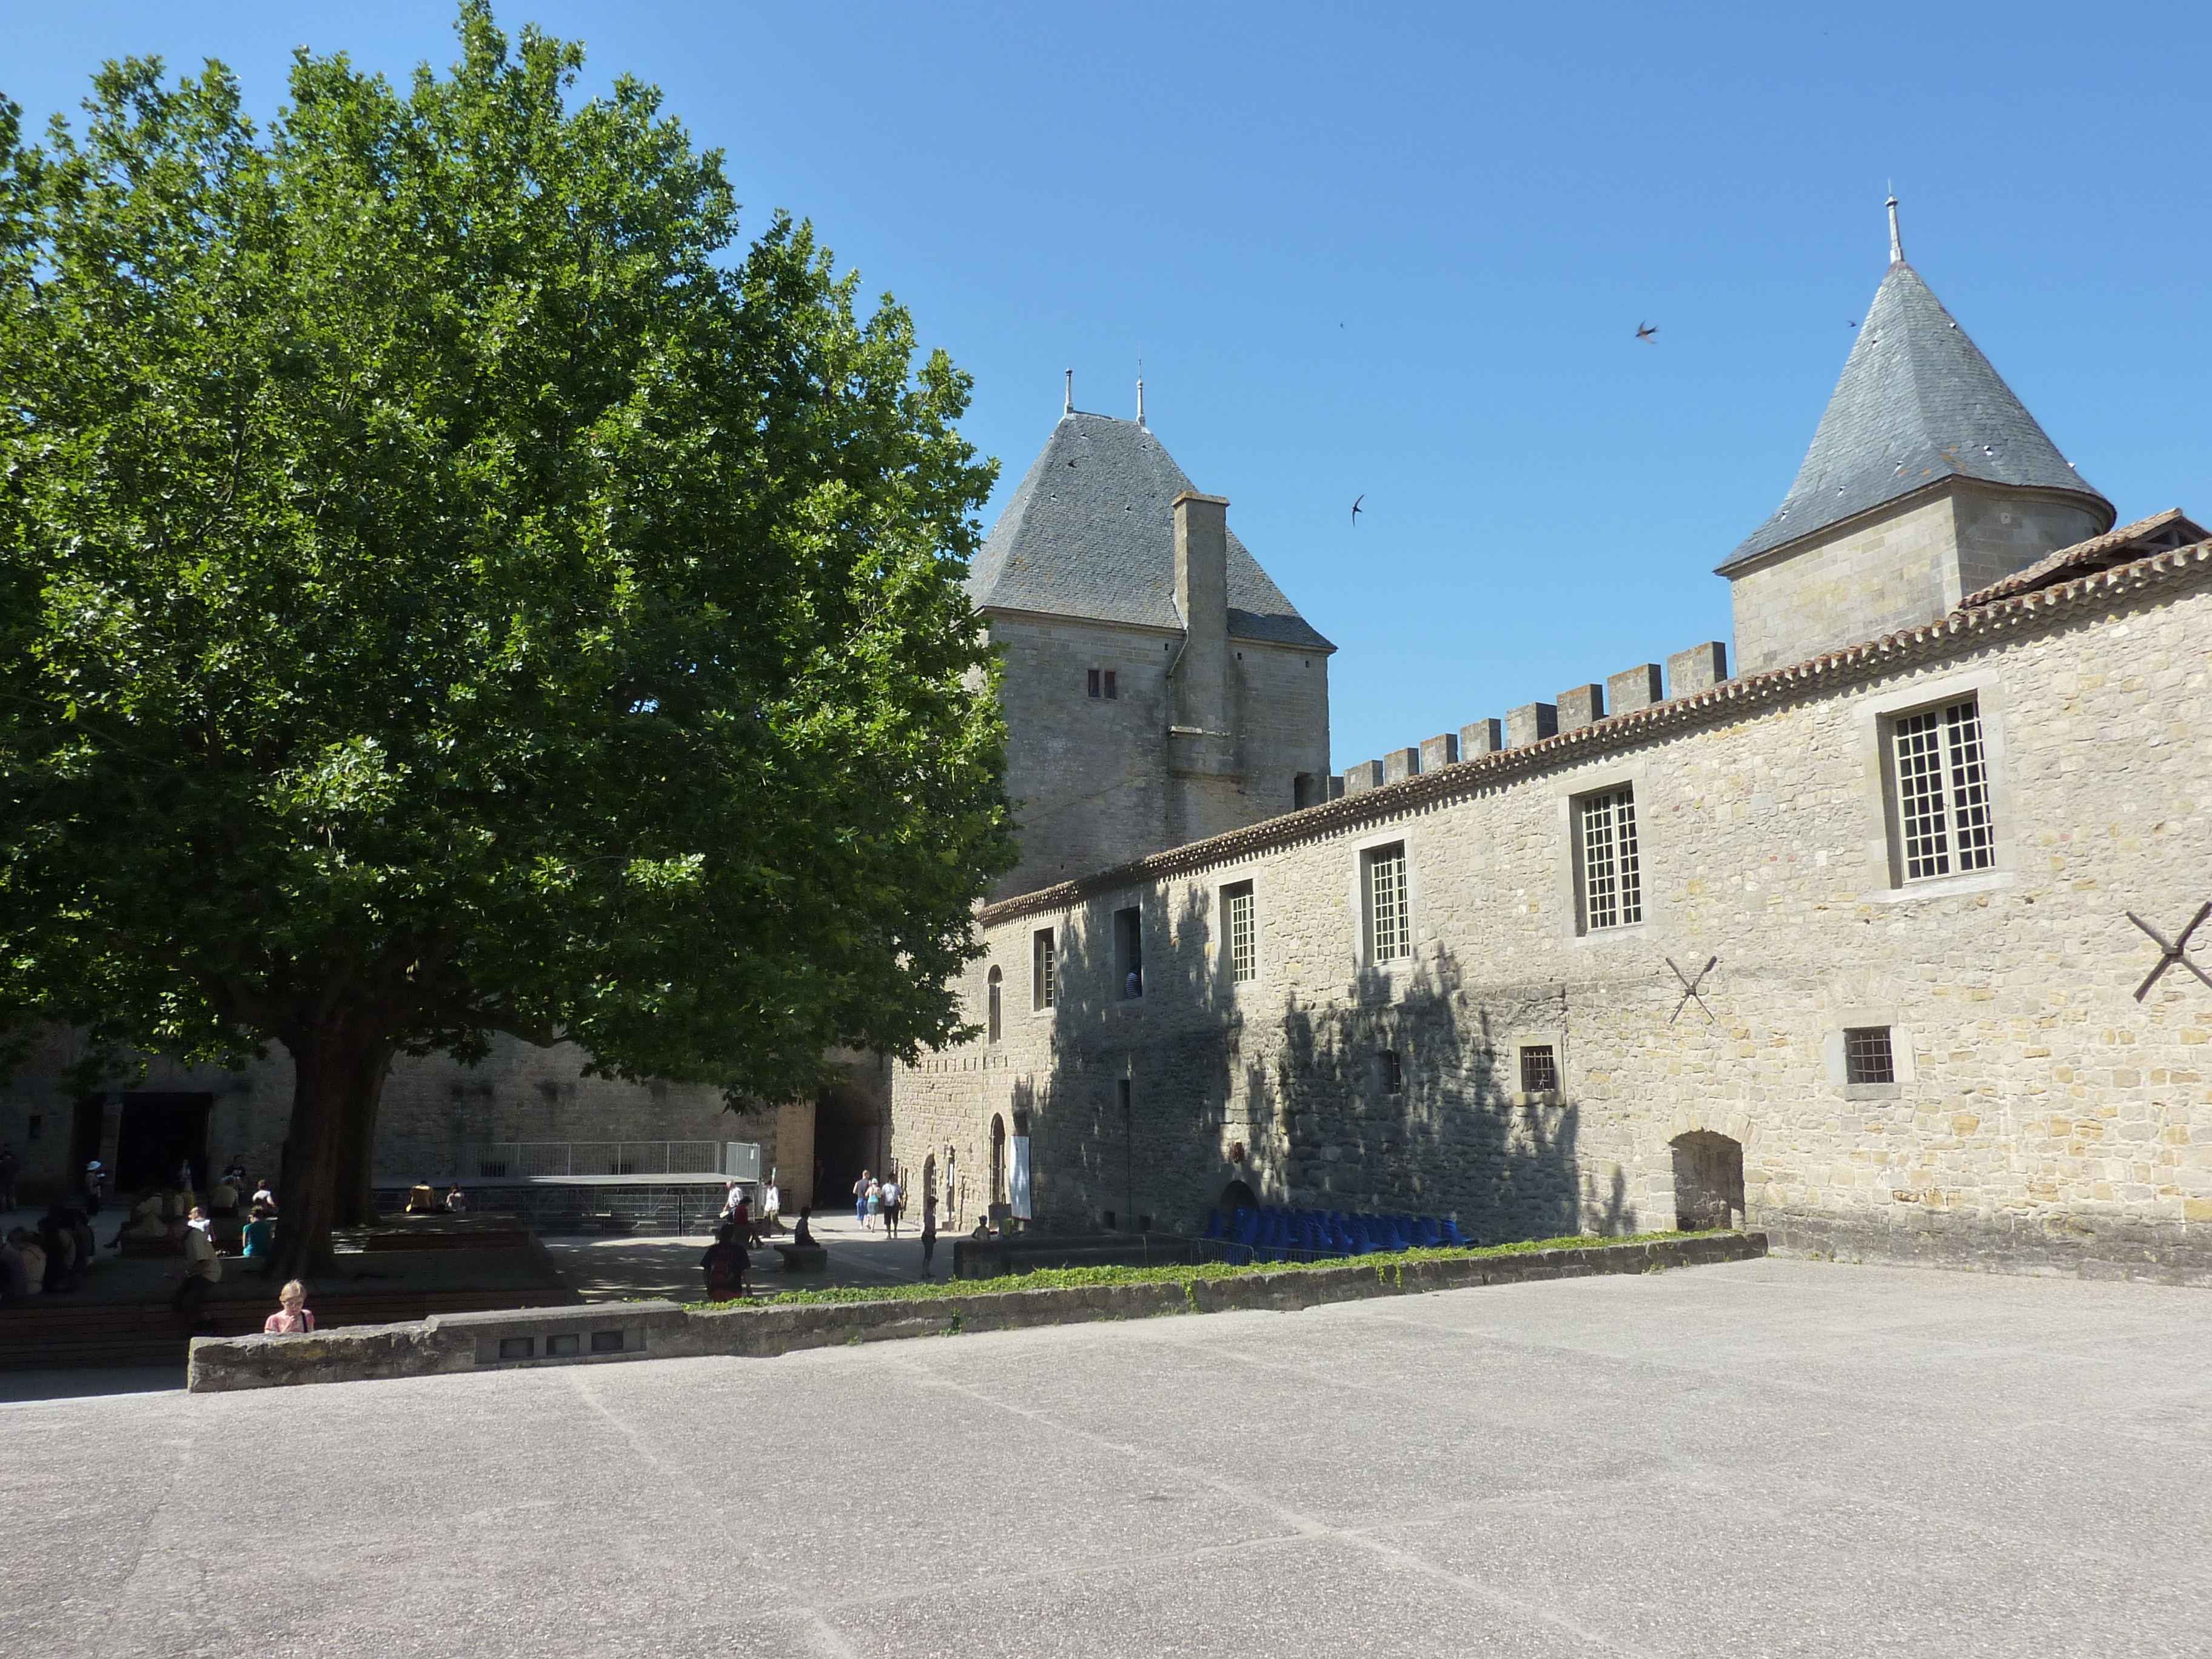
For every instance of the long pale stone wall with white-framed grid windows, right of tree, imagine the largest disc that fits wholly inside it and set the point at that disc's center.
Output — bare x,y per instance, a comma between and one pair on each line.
2041,1114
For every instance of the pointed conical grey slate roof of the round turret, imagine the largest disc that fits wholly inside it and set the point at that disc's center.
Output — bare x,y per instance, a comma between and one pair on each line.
1917,404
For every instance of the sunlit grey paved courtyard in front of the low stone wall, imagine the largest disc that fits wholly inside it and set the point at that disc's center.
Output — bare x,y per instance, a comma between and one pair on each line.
1764,1459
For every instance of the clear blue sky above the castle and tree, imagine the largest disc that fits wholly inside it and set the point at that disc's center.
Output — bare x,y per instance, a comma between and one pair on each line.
1404,251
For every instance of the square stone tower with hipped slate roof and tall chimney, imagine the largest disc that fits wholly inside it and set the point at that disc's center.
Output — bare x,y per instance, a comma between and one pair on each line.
1158,687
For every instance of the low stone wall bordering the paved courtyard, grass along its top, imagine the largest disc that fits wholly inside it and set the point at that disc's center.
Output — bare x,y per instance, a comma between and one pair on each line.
671,1331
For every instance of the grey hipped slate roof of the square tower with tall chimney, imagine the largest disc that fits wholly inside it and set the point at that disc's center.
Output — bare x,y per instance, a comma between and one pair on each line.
1092,534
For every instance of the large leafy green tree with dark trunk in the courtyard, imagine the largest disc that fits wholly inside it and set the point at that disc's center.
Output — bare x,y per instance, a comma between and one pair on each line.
450,585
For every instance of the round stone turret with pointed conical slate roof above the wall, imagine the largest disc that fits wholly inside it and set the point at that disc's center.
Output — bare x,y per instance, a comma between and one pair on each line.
1926,481
